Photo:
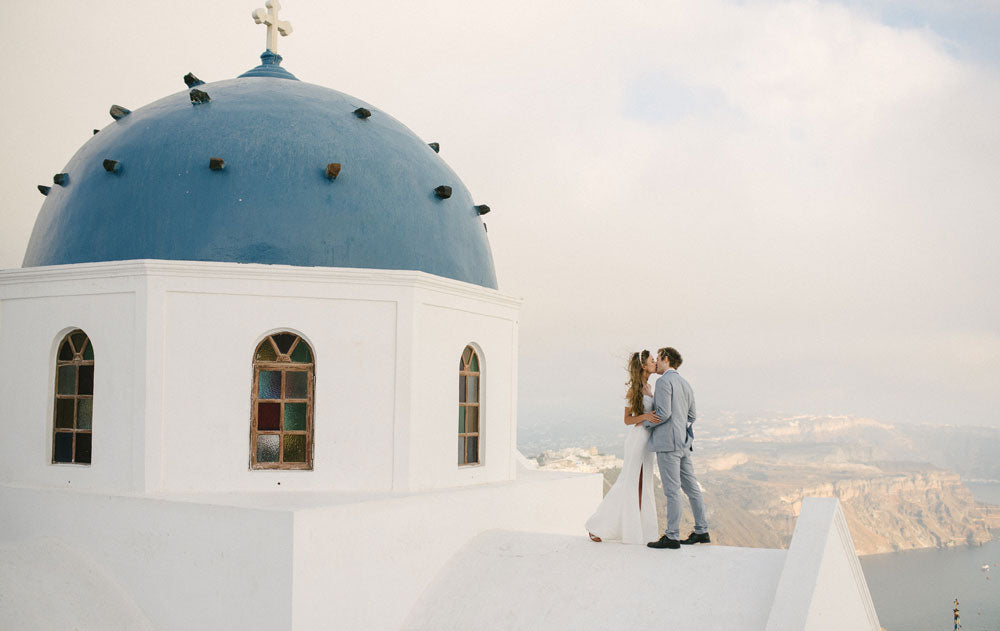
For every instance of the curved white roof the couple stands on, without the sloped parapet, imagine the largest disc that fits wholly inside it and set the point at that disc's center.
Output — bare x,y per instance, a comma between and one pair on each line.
506,580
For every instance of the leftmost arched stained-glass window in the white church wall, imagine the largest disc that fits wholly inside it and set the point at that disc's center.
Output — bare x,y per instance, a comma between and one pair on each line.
72,426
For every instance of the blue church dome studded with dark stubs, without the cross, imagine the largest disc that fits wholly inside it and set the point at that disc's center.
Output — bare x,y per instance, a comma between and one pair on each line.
243,177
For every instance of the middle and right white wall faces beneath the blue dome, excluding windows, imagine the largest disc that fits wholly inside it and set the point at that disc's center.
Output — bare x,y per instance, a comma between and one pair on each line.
386,347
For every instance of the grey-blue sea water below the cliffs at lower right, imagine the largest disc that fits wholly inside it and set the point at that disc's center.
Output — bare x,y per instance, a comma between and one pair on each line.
915,590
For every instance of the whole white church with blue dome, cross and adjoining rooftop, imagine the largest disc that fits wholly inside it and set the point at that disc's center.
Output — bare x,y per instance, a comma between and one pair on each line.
229,401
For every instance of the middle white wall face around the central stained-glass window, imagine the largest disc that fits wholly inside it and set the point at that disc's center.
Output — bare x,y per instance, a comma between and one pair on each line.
206,437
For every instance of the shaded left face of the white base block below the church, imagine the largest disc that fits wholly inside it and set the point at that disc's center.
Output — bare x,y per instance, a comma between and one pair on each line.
185,566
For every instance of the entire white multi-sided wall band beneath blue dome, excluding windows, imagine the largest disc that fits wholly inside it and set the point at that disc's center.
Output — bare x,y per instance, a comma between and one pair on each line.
175,343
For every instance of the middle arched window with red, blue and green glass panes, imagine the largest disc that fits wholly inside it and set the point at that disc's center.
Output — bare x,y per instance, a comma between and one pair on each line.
281,423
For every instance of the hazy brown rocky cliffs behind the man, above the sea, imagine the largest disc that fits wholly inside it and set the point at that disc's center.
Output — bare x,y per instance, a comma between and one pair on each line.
899,486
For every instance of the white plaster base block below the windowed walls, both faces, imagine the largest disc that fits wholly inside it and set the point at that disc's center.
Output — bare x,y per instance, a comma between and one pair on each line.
287,560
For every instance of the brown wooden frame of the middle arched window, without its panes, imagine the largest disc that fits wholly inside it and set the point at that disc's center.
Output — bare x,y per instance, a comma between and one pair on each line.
284,365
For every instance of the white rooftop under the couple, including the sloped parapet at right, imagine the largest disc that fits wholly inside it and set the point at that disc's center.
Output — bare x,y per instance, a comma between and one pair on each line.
518,580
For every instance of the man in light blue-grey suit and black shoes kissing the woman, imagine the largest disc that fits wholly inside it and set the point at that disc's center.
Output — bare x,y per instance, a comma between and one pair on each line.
671,438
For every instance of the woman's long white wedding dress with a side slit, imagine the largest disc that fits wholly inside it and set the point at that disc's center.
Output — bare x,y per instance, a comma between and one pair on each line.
618,517
